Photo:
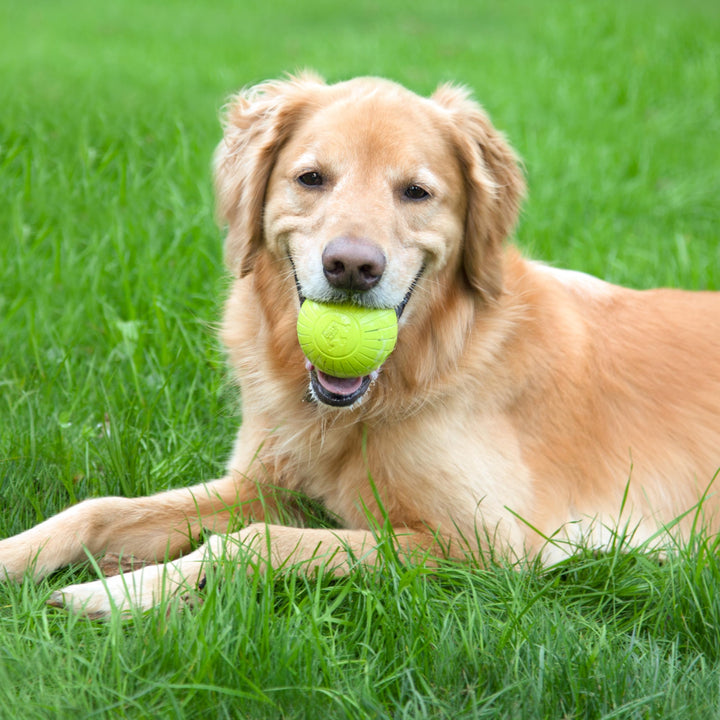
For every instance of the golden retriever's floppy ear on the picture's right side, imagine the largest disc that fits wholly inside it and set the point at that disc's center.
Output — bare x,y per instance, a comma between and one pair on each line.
494,184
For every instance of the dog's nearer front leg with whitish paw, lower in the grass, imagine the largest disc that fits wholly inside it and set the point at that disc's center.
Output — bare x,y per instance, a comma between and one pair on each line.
336,551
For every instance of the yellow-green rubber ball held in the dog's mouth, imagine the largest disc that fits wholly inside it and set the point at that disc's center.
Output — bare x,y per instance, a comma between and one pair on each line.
346,340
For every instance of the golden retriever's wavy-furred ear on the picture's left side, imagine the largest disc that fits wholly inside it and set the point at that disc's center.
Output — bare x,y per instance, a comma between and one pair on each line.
257,122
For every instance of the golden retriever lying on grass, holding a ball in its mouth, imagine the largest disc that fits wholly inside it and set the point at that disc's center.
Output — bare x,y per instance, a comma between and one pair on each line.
524,408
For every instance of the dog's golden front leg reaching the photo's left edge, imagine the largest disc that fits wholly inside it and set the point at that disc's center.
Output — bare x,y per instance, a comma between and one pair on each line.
147,528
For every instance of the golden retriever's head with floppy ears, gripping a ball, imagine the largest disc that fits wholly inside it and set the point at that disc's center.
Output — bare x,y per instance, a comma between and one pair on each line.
365,190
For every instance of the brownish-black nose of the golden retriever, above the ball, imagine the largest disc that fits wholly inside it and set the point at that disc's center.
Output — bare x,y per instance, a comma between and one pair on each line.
351,263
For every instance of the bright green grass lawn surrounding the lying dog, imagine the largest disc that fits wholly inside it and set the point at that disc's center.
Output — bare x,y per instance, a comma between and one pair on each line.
111,284
